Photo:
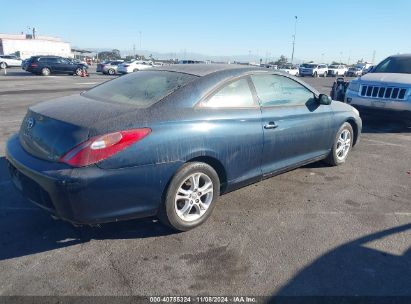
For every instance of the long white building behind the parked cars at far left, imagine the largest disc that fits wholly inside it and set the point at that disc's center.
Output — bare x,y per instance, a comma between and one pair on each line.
26,46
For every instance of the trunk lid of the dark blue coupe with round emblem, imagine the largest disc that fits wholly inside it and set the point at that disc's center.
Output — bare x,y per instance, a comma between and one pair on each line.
52,128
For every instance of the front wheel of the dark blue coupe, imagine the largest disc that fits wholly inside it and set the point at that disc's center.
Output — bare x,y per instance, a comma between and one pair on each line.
342,145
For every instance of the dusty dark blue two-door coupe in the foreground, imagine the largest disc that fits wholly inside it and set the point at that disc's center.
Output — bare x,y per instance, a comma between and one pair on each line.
169,141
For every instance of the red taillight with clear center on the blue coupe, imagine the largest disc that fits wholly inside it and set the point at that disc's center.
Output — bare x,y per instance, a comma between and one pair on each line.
101,147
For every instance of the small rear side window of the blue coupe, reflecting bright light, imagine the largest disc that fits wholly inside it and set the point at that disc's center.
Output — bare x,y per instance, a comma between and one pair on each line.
234,95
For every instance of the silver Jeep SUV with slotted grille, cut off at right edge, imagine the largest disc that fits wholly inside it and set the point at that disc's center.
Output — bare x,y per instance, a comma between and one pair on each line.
386,89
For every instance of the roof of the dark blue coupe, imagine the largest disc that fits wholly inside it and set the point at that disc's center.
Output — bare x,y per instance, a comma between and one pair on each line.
206,69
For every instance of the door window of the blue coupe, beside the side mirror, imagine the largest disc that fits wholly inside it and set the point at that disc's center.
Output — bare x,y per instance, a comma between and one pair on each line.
276,90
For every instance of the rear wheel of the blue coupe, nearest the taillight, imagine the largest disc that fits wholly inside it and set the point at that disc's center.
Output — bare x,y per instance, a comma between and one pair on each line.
190,197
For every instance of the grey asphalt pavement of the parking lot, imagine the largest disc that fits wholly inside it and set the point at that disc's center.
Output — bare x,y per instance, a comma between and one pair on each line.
316,230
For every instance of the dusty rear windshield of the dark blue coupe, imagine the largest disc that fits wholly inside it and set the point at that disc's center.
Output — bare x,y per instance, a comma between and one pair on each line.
141,89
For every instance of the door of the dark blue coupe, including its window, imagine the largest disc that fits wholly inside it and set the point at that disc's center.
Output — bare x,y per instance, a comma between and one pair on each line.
296,127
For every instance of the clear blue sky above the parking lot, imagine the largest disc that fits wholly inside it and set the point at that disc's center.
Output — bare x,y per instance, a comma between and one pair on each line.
346,28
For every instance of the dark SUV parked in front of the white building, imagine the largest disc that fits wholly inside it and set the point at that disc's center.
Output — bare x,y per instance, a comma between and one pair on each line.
46,65
